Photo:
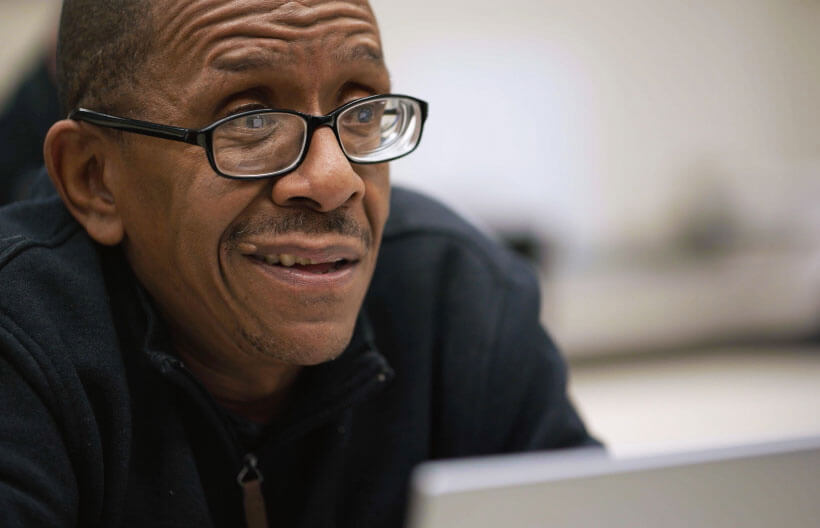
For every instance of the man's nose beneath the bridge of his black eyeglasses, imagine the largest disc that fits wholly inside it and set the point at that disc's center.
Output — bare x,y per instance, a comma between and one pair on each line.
324,181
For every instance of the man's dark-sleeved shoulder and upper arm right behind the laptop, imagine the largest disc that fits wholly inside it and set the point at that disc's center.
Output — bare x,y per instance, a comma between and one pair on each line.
458,316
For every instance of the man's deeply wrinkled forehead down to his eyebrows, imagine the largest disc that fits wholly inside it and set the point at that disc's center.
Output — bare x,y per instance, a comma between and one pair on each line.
214,41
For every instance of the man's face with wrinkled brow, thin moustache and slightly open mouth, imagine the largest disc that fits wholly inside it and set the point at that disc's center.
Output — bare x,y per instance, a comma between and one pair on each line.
206,247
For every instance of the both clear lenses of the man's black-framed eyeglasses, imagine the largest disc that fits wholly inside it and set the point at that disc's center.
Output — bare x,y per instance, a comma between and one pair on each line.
270,142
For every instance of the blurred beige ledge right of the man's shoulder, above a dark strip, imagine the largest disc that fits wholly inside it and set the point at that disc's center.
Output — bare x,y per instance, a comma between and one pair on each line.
737,298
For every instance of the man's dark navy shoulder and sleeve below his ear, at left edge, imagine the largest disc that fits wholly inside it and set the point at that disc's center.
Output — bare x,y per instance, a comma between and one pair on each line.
60,363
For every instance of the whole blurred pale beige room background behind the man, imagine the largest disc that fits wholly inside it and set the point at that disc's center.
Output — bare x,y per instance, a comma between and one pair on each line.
658,162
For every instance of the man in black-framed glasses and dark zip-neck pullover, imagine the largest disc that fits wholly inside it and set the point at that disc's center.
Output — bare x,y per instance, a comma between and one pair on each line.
197,333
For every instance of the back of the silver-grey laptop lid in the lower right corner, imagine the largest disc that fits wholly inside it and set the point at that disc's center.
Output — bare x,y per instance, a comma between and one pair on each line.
774,484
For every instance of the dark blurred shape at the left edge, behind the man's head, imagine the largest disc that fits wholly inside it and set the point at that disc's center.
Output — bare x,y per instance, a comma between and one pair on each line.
25,119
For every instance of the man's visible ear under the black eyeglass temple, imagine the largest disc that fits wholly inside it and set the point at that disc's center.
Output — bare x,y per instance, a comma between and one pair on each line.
75,159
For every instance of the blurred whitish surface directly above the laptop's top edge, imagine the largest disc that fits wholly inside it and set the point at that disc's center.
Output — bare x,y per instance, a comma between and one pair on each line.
709,398
